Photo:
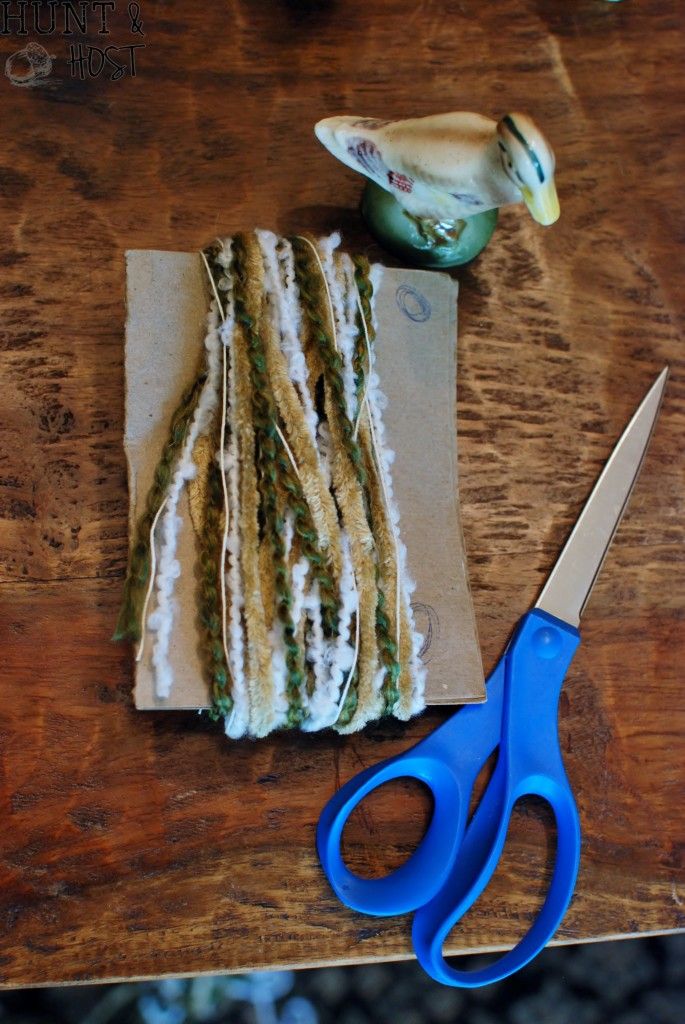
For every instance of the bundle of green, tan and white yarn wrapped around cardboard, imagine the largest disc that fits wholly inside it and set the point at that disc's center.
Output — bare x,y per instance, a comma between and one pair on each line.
304,600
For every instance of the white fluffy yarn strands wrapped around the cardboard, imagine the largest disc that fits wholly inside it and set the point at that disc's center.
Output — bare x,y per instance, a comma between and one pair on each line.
331,661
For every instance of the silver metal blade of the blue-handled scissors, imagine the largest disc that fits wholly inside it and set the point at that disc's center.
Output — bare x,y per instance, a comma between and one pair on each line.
572,580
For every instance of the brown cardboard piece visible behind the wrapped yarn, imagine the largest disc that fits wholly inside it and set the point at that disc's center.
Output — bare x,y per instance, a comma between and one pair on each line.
168,301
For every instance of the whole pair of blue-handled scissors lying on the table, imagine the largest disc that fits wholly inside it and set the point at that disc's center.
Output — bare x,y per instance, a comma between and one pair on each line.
456,860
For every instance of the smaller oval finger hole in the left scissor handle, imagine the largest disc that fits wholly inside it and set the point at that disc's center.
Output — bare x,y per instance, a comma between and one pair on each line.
371,844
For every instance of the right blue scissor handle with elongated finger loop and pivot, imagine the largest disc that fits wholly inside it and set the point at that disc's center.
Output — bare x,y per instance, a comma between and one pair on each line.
530,764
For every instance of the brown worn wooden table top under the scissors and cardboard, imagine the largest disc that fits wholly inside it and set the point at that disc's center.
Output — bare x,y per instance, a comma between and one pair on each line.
139,844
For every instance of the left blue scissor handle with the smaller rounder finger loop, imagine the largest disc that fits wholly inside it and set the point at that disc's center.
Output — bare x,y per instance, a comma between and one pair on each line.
448,761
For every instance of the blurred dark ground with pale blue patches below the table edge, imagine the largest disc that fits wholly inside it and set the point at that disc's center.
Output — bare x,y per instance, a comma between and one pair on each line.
638,982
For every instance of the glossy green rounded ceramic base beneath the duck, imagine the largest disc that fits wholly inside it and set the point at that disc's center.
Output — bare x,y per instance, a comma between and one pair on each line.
401,235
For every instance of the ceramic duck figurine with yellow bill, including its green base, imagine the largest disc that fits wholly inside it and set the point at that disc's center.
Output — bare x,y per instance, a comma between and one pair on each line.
436,184
